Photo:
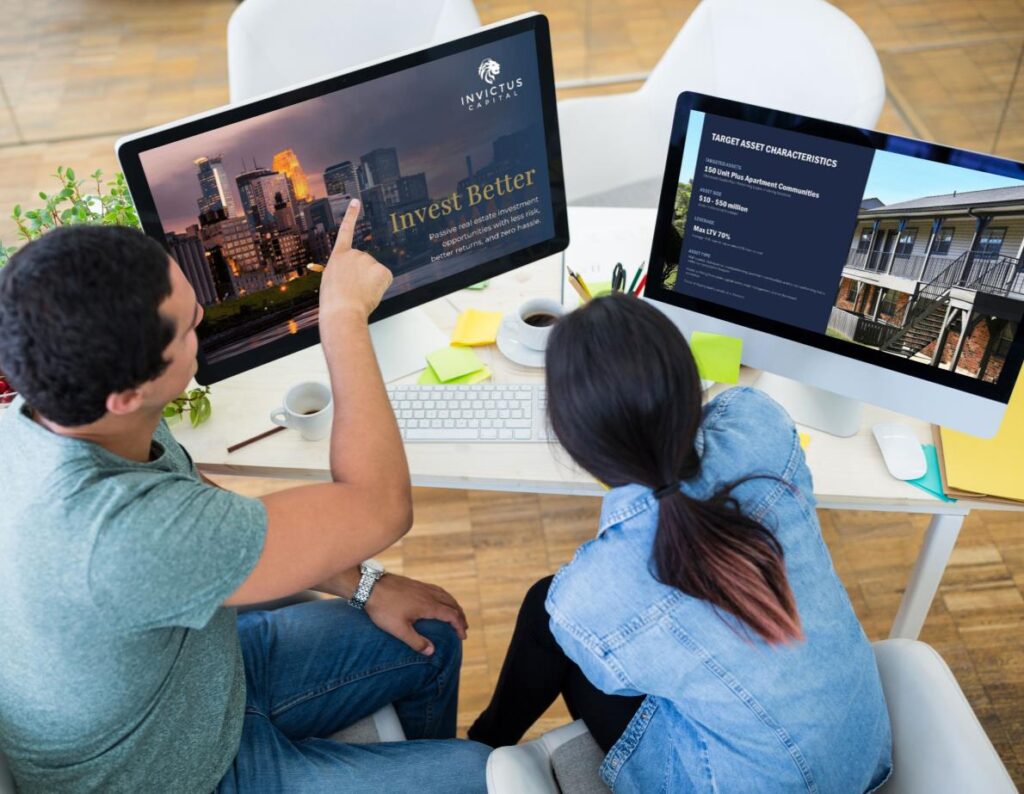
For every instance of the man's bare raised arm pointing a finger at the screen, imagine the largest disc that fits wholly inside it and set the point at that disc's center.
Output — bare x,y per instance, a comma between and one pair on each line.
315,532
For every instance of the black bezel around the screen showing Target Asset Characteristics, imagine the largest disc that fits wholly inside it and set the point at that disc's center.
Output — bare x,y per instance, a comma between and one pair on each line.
689,101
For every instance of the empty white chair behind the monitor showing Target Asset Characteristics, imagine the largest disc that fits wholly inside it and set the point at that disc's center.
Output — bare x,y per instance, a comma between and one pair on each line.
804,57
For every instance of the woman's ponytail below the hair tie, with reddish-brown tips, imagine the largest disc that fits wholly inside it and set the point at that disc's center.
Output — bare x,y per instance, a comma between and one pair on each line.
711,551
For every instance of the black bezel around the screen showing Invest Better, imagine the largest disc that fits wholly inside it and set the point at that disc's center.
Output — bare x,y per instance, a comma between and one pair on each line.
130,153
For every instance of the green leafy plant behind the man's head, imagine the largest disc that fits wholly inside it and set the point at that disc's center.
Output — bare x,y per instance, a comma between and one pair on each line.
78,201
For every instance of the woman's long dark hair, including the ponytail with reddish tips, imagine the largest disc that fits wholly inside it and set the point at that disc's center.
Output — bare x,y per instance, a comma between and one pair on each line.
624,399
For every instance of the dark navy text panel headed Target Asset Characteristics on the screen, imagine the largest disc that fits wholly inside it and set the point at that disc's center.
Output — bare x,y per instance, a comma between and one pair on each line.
784,258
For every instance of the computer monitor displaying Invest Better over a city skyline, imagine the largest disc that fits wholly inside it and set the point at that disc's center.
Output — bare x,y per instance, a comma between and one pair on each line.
453,151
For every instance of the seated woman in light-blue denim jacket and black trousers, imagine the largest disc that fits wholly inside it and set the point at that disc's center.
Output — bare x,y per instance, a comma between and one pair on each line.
704,636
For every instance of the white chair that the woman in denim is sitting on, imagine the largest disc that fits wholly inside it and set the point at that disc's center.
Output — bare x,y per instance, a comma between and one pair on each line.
938,745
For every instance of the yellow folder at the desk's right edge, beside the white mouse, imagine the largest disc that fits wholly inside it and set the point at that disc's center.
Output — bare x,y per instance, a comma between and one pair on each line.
994,467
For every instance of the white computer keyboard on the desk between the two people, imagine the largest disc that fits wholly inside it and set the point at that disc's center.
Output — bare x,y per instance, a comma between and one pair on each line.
500,413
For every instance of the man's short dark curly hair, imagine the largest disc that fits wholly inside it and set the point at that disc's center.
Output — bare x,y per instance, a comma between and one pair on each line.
80,320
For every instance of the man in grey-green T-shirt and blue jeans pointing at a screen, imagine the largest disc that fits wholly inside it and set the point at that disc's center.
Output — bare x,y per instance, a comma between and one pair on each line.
123,666
